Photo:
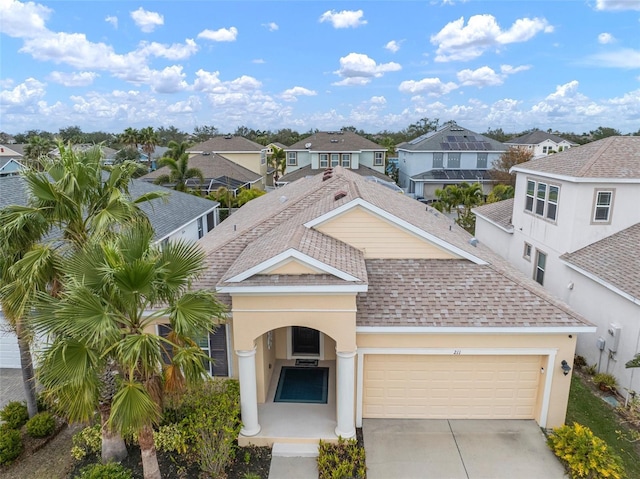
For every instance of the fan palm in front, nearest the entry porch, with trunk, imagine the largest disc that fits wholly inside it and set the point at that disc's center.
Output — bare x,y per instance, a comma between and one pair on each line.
102,317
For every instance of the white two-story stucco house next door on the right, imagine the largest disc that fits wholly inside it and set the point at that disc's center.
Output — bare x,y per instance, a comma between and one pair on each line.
574,226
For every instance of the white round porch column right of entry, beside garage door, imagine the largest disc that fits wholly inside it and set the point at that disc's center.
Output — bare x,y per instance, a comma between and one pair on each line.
345,394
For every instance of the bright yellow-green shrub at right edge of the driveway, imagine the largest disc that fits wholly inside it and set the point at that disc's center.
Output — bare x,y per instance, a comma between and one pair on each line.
584,454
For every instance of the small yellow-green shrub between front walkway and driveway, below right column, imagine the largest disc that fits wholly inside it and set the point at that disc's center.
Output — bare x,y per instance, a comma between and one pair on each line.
344,460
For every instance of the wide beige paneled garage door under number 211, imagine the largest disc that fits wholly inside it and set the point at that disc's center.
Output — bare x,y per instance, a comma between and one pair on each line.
450,387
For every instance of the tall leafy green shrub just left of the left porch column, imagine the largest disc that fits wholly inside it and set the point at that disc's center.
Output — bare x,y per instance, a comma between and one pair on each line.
212,413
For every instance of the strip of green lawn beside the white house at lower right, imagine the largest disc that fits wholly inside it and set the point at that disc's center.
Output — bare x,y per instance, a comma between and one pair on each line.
589,410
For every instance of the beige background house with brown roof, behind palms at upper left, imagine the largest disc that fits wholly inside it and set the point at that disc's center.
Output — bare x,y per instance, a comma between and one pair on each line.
240,150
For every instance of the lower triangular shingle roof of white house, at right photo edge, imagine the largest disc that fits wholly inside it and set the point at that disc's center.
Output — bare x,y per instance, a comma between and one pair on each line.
613,259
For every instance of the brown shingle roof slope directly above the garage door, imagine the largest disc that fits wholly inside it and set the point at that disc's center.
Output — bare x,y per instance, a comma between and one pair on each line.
456,293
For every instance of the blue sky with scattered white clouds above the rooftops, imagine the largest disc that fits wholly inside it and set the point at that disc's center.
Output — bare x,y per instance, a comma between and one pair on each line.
376,65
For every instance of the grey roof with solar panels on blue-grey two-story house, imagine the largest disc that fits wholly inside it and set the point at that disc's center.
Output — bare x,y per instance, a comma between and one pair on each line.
455,135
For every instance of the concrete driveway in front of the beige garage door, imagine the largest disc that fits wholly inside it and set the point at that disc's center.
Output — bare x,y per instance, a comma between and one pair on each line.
457,449
